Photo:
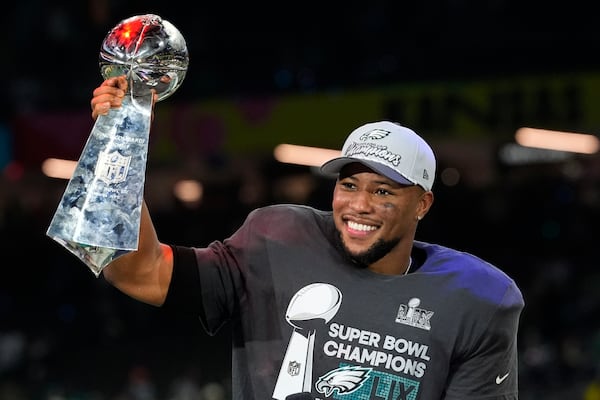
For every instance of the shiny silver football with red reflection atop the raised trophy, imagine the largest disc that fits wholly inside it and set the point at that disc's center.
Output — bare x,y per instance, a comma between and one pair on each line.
150,51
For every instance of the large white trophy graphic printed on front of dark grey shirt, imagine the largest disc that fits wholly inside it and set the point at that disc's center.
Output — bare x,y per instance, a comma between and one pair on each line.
310,309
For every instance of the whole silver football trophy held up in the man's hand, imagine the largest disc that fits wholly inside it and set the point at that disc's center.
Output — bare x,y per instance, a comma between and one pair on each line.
98,217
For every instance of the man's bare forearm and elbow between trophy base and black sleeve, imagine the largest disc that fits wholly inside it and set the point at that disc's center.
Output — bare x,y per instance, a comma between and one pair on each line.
143,274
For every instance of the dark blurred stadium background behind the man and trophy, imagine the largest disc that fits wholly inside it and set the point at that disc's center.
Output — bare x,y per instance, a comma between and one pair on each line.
466,75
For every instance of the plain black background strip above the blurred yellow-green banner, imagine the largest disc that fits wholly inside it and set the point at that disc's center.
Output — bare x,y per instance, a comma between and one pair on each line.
258,49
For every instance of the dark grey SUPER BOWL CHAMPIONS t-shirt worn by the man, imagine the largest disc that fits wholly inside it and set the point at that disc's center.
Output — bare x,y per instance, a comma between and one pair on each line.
309,324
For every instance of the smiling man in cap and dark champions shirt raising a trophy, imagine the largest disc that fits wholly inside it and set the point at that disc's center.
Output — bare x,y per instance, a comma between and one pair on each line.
341,304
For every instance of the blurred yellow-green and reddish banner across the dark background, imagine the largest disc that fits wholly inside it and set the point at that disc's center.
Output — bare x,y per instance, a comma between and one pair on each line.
469,109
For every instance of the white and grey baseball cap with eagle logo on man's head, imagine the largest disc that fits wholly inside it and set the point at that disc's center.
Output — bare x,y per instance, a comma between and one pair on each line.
391,150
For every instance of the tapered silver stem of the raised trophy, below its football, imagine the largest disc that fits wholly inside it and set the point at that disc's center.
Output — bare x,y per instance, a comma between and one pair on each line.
98,217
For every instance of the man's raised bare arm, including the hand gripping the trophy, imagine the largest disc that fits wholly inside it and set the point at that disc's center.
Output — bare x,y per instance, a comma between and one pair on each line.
144,274
